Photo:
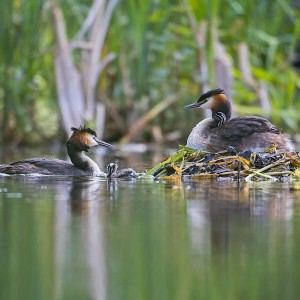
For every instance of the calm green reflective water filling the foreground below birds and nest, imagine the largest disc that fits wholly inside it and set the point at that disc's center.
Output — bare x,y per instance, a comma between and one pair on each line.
83,238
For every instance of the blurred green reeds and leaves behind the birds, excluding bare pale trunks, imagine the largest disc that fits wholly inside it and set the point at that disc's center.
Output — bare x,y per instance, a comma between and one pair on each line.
157,55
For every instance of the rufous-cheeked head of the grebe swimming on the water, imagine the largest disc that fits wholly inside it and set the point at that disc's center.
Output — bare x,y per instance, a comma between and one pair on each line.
83,138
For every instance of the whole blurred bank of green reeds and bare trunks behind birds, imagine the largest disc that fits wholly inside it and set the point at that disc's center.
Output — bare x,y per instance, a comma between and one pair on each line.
127,68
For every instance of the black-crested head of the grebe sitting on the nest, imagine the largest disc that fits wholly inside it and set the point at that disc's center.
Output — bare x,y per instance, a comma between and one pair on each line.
217,102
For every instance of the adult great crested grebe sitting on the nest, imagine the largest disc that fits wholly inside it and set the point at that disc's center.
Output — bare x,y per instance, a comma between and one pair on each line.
243,133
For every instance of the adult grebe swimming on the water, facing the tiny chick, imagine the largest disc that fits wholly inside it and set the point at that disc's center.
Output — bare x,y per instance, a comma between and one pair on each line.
80,141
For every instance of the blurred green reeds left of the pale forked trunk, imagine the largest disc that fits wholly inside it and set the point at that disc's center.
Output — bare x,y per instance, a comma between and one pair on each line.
26,76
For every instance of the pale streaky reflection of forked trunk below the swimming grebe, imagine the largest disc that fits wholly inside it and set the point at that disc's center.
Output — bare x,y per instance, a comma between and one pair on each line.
82,208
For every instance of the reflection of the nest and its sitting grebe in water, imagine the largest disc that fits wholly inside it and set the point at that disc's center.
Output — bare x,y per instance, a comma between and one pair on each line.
216,208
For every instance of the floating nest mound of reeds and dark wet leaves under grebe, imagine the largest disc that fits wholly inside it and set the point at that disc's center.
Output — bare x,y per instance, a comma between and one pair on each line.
270,165
